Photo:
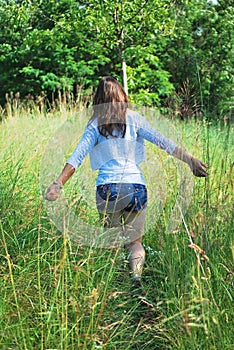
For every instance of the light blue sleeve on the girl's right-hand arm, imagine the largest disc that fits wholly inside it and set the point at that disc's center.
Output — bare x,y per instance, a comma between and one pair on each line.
147,132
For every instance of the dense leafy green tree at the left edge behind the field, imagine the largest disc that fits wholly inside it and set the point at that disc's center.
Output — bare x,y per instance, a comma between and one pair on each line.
46,48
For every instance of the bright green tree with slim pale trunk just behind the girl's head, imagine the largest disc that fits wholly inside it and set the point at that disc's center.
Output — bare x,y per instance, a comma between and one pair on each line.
130,34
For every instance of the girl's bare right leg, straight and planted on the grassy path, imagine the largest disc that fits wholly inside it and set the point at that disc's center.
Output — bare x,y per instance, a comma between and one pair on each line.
134,227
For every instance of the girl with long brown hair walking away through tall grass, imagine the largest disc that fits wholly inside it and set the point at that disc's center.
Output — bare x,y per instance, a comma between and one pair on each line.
114,137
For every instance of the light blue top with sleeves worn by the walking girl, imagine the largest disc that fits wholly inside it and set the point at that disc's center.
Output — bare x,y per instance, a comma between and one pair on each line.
118,158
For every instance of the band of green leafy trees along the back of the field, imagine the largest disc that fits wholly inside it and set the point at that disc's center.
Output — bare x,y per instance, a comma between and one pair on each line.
178,54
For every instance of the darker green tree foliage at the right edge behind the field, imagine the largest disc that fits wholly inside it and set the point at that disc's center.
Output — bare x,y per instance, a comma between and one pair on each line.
200,57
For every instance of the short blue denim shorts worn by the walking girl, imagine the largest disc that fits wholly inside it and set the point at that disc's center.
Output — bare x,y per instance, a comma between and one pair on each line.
121,196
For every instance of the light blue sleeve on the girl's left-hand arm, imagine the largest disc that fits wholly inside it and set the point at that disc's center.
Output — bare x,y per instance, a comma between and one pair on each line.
85,145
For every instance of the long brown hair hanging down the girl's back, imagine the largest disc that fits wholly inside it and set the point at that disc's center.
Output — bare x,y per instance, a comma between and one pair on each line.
110,104
